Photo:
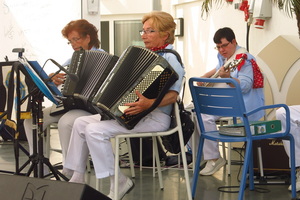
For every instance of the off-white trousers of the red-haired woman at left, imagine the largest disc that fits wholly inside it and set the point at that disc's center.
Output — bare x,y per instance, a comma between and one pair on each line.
65,124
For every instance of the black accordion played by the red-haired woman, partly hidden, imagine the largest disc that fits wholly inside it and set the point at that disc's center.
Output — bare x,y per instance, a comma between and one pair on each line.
92,67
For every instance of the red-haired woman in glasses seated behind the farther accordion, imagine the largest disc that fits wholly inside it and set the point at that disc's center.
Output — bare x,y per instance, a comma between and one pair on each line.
80,34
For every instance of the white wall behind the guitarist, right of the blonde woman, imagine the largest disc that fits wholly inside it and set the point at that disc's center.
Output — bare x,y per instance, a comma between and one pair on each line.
197,47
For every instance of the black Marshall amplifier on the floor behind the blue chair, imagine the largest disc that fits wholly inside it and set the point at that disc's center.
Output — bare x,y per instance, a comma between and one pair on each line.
274,157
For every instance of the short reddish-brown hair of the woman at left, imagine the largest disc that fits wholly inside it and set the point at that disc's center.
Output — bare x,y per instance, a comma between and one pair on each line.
84,28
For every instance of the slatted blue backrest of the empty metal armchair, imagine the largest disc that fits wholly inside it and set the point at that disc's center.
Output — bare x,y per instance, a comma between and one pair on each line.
226,102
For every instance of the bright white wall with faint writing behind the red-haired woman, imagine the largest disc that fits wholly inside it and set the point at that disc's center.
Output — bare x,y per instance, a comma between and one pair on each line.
36,26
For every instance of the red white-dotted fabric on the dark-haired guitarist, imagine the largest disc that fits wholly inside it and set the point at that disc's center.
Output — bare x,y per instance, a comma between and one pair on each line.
258,79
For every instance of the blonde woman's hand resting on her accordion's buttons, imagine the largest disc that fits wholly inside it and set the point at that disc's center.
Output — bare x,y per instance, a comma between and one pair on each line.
136,107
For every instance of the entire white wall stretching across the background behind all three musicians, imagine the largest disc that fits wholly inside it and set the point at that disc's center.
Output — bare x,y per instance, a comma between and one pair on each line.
35,25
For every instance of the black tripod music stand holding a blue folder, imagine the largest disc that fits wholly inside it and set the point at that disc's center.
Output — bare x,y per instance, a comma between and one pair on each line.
43,87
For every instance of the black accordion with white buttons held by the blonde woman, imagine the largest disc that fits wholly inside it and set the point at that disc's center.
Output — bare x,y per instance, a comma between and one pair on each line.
137,69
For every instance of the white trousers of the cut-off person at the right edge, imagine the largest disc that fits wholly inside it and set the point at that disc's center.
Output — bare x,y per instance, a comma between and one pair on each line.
295,129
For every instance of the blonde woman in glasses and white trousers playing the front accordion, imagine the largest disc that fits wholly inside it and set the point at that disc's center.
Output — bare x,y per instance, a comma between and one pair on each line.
92,136
